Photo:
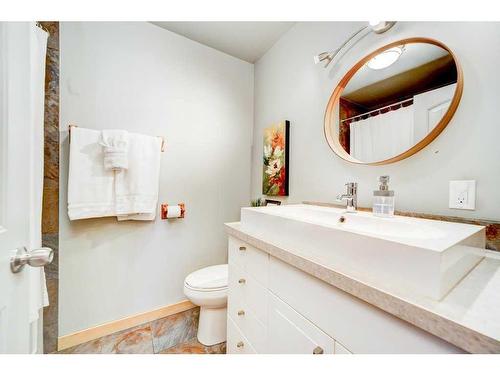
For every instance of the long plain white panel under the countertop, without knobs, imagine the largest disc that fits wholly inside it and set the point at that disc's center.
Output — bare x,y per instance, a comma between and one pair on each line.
361,327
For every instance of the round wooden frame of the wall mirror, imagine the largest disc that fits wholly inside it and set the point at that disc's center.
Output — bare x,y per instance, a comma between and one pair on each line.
331,113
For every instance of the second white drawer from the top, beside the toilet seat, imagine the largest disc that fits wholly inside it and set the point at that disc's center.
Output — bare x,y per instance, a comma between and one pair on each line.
247,293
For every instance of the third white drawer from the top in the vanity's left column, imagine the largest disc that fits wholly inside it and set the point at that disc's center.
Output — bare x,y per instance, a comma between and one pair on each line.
246,321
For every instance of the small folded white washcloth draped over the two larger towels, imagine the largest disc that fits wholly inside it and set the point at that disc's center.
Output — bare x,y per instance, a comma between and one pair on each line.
115,146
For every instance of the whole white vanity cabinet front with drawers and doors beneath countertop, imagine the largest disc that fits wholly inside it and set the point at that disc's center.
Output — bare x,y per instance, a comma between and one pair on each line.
275,308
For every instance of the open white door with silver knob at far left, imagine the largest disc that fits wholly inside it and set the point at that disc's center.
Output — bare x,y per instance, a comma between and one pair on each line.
21,166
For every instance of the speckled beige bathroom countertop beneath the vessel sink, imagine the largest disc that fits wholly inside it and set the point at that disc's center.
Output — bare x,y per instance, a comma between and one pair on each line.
467,317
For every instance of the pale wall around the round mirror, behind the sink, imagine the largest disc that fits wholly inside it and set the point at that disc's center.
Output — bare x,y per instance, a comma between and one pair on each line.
289,86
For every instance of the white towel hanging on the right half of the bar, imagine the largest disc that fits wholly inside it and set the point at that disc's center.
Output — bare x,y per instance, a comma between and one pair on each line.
136,189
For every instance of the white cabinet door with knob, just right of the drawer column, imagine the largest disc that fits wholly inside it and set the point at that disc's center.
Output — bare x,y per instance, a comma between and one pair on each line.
291,333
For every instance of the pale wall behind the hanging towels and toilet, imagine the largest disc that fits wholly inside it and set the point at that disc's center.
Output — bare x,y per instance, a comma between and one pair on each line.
142,78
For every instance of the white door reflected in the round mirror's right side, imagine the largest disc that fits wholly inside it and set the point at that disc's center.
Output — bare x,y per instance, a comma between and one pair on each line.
429,108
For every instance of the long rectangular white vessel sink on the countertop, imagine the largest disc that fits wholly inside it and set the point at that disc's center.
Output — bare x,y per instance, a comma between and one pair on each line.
427,257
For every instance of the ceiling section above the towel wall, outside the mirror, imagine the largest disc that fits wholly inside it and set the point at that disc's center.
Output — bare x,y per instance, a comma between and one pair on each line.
248,41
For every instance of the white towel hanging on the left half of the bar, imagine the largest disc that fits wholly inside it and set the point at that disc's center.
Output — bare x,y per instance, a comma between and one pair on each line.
90,186
